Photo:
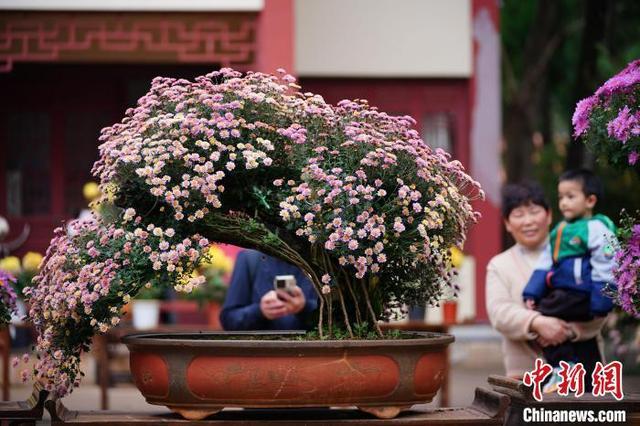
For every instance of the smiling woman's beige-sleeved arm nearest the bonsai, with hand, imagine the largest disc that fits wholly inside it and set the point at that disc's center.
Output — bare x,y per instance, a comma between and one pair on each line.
507,315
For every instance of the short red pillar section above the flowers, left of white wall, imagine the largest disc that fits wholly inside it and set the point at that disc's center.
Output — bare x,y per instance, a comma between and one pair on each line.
276,36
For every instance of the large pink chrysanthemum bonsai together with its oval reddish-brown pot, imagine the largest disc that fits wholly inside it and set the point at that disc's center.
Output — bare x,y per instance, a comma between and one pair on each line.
351,195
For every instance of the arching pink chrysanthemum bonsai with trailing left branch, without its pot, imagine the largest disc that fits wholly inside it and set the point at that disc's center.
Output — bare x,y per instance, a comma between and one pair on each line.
349,194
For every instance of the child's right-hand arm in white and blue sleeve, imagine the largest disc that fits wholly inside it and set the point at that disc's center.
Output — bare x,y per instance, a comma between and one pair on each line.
601,259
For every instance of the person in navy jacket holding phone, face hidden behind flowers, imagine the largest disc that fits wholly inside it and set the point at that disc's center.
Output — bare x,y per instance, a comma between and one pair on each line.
266,293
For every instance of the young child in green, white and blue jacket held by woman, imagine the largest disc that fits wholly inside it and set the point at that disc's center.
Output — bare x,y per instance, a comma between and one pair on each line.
569,279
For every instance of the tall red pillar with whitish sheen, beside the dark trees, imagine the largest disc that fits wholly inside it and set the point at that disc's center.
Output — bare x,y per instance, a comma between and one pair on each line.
485,138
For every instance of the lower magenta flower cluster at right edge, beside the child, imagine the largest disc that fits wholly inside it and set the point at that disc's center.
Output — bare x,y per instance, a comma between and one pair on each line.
627,273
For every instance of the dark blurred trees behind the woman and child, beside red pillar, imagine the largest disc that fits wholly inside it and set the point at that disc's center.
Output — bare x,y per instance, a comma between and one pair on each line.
555,53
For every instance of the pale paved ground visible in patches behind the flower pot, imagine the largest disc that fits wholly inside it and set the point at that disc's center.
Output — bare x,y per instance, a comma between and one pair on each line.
474,356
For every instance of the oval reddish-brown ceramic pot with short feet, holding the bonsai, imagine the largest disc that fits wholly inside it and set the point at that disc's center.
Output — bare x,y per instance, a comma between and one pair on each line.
197,375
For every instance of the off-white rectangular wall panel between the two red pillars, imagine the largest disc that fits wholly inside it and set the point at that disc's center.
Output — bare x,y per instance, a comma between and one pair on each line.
383,38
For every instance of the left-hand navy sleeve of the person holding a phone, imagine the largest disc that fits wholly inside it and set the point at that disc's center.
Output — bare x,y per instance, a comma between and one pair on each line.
239,312
